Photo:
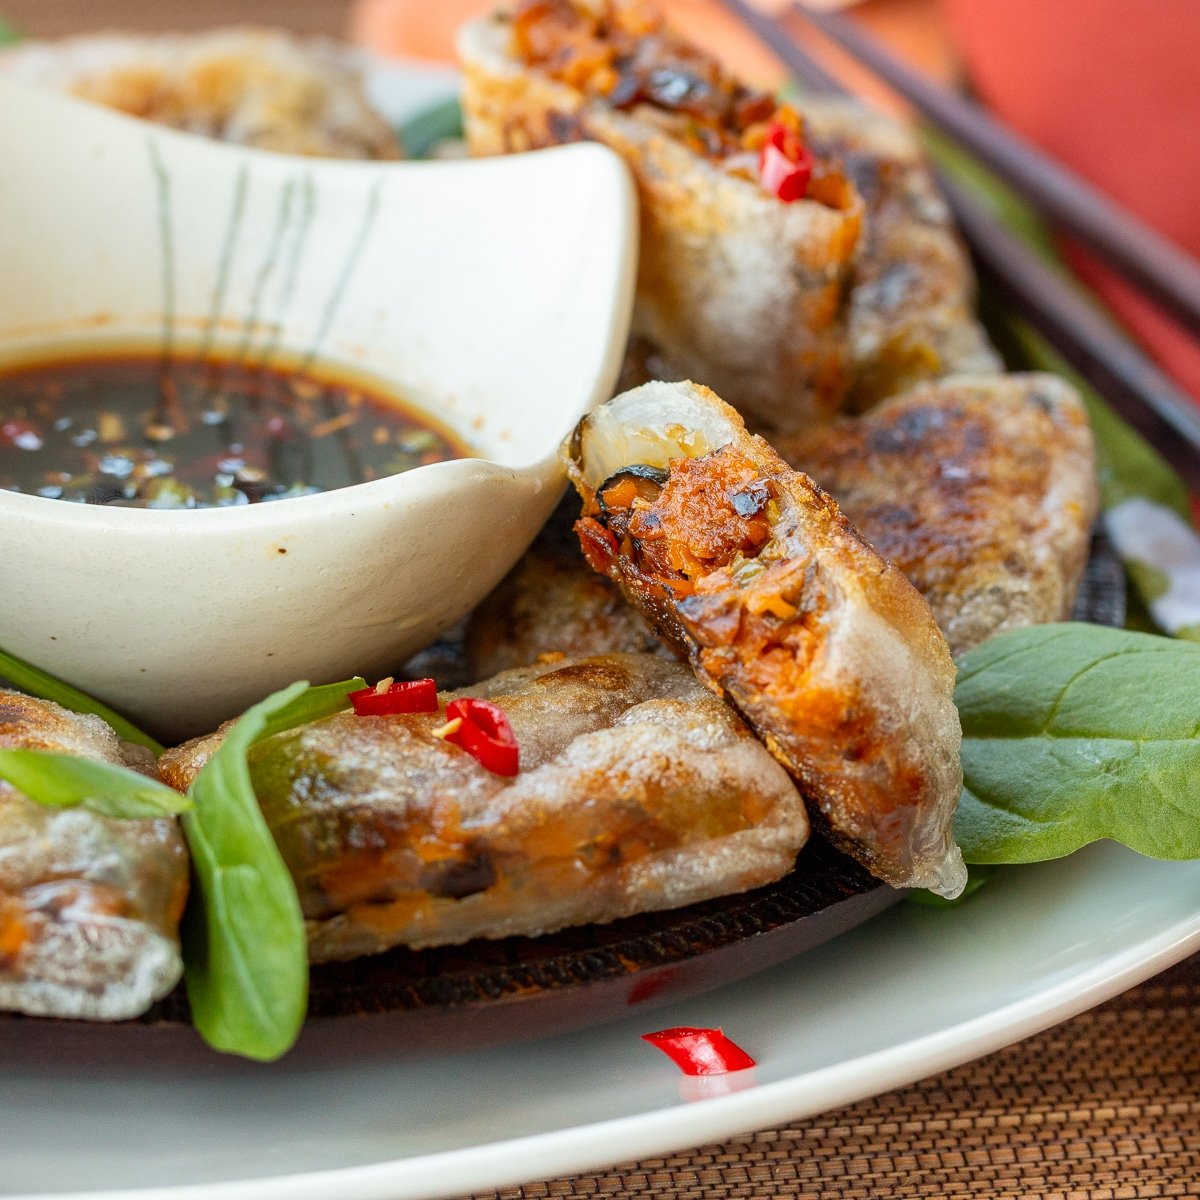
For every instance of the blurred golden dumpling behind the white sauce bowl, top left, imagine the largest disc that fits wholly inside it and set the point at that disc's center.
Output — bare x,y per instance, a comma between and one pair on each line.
256,87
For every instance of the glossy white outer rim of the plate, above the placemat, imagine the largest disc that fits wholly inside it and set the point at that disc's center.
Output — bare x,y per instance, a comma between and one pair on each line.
595,1145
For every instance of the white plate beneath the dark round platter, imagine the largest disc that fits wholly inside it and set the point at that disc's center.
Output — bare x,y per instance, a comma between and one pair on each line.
910,994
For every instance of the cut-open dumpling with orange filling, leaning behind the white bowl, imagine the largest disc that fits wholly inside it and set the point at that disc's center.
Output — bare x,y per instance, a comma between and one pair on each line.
736,286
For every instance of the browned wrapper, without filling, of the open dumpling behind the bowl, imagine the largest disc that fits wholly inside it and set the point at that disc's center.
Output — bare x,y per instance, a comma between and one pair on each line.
734,286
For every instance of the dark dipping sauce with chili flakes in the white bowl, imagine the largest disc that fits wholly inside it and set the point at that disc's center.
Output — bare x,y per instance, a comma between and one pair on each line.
136,433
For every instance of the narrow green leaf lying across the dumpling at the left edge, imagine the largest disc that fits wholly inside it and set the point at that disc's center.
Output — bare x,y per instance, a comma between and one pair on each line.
67,782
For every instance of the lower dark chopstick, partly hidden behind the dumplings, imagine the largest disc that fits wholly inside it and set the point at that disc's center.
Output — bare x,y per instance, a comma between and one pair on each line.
1136,387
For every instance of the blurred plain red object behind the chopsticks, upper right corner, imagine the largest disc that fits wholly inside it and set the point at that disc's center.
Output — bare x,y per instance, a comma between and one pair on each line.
1113,89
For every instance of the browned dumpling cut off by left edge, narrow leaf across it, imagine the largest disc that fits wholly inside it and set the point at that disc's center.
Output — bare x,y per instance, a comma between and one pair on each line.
89,905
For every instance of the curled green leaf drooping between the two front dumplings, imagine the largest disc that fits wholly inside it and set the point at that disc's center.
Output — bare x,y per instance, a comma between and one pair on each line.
245,950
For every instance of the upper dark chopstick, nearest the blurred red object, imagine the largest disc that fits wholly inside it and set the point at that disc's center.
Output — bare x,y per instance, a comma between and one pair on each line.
1145,257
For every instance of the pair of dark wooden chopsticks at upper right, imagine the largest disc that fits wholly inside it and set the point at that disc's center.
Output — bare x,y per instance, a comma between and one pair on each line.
1162,412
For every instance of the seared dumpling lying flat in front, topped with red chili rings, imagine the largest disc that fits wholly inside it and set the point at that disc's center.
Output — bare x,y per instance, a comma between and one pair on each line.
638,791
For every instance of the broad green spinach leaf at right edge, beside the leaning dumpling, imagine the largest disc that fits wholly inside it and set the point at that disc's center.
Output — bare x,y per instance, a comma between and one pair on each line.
1072,734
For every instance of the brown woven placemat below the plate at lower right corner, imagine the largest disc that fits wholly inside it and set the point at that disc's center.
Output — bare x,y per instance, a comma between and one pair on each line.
1101,1108
